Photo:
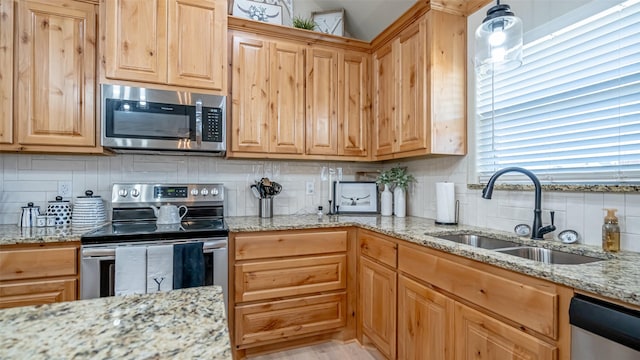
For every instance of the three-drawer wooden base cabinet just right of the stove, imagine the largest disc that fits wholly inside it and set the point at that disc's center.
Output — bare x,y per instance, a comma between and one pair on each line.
290,286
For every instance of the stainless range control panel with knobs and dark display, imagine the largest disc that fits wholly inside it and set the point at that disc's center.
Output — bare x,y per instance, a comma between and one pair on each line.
166,193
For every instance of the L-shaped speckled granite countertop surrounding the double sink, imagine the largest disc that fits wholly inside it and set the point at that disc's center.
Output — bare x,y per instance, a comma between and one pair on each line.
617,277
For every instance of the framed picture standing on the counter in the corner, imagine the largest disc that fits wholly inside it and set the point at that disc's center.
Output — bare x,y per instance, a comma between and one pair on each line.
356,197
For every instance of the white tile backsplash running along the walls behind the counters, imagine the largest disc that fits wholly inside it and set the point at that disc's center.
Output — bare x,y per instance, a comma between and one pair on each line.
36,178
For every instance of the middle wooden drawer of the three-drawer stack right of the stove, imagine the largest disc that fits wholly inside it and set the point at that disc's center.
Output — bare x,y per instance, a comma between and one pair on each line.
289,277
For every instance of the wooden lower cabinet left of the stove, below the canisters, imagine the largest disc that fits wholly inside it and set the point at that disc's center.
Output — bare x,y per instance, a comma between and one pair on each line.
35,275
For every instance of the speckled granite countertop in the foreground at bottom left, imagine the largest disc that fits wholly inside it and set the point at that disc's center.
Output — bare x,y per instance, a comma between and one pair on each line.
180,324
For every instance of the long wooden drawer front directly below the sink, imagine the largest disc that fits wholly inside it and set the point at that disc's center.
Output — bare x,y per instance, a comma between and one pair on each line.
524,304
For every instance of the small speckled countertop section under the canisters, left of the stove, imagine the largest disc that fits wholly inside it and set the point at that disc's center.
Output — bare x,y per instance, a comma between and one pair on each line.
12,234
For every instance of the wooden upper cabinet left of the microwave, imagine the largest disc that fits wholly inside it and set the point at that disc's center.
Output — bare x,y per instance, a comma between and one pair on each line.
54,62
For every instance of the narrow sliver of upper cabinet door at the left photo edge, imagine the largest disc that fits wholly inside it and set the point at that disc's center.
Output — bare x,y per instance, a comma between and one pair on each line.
6,71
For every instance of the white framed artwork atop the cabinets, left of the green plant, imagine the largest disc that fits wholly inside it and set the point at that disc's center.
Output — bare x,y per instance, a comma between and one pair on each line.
270,11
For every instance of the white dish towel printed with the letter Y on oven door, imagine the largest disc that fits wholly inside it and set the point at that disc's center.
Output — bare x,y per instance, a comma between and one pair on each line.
159,268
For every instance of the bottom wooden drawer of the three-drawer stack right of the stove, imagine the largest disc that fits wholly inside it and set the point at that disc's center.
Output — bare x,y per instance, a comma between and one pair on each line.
275,321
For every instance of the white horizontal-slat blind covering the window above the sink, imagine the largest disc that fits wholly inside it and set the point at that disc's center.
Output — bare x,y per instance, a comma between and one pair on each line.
571,113
